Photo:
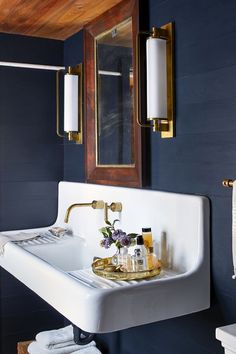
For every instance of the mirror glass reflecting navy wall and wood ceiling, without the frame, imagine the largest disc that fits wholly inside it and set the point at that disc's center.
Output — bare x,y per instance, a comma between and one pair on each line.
115,101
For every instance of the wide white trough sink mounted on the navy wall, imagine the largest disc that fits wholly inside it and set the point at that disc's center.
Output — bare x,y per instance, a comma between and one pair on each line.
58,270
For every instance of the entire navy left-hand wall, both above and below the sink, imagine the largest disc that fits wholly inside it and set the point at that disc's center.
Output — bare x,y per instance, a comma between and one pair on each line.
31,164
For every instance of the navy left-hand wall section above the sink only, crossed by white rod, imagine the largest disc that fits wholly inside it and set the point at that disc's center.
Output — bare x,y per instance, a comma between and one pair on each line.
31,155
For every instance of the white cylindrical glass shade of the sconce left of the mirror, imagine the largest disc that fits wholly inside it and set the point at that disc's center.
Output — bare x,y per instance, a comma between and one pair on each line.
71,118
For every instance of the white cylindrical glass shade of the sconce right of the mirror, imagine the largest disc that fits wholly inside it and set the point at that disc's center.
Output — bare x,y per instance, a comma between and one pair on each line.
156,78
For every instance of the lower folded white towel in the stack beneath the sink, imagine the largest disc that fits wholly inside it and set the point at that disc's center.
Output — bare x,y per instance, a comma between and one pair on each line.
36,348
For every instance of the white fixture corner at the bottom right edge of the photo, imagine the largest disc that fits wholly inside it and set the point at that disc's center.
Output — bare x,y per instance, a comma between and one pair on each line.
227,336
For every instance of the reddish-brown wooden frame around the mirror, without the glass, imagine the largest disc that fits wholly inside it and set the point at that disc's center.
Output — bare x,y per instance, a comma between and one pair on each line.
124,175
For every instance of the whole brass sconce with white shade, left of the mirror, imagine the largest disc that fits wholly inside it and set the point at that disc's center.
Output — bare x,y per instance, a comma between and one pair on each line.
73,103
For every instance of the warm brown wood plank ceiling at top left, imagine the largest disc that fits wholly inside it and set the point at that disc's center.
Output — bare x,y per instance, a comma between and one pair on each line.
54,19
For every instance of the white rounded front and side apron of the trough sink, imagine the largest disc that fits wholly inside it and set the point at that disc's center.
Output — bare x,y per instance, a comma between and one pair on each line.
84,306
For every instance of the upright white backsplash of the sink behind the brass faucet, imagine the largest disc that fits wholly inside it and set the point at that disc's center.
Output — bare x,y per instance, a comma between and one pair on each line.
174,219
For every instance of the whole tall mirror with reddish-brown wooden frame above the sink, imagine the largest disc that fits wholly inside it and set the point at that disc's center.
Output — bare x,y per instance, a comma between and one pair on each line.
113,139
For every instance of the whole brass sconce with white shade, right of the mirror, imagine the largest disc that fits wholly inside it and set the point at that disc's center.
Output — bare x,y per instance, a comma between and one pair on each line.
159,80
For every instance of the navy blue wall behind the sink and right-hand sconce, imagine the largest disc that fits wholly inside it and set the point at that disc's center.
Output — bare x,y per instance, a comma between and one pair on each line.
202,154
